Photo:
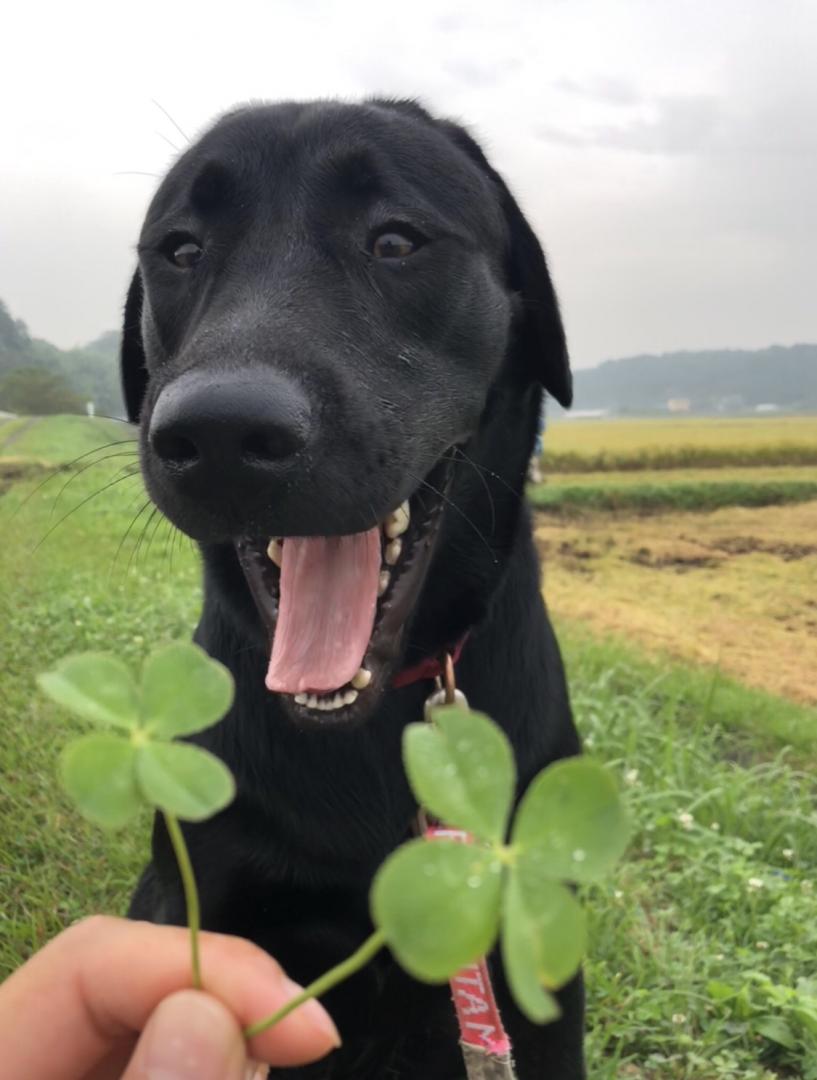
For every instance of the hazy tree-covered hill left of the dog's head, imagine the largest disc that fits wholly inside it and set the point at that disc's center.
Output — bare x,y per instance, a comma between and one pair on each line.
90,373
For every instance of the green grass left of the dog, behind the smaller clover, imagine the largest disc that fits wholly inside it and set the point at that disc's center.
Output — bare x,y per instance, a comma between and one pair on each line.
73,592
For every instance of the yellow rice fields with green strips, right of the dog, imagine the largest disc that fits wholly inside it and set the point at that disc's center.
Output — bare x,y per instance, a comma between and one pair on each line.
712,565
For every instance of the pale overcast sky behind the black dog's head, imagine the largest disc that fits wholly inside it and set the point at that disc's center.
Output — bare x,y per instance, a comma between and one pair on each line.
665,152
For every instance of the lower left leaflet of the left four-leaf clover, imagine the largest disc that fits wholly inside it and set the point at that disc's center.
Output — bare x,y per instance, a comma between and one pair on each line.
98,773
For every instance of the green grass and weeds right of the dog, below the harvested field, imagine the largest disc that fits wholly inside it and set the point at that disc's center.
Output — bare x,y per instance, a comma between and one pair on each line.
697,970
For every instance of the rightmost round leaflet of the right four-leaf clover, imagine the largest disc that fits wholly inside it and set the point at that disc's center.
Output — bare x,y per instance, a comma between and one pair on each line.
571,822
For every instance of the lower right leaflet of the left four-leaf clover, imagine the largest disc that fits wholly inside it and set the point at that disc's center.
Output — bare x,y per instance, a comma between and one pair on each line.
186,781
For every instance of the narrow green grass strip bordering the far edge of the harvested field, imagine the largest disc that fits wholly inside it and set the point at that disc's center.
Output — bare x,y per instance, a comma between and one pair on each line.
660,498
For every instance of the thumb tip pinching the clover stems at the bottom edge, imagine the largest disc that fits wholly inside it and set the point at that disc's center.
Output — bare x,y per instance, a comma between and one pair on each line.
191,1036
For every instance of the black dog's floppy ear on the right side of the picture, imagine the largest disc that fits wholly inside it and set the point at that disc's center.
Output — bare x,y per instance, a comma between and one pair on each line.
541,332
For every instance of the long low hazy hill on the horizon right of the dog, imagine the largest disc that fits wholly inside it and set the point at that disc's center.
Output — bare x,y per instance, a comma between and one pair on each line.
725,381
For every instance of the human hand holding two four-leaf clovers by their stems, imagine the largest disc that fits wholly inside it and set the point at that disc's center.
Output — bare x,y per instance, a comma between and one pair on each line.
110,1000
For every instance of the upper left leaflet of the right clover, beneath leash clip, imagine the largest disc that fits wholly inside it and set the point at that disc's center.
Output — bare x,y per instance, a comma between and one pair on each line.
462,769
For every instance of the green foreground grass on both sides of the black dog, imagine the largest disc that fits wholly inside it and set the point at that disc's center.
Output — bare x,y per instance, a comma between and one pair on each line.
695,973
